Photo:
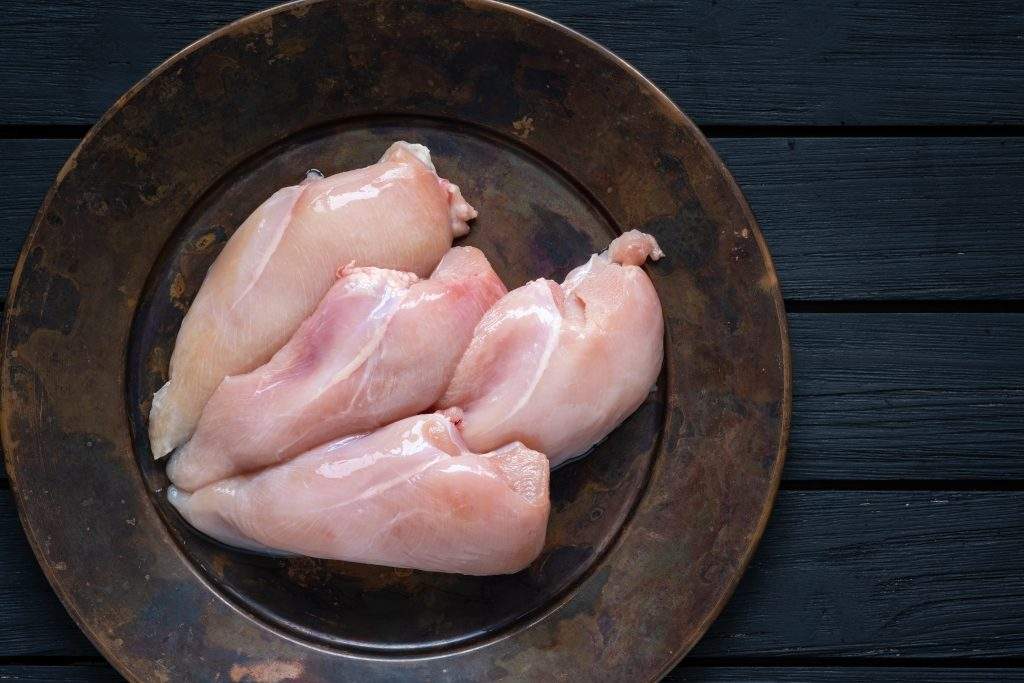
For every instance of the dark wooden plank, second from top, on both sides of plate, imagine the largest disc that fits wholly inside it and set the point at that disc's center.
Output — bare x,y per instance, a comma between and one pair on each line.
862,219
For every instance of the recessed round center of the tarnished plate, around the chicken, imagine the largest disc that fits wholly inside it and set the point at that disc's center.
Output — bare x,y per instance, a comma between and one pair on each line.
535,222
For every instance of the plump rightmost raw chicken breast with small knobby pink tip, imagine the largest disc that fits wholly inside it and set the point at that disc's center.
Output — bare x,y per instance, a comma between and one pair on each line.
560,367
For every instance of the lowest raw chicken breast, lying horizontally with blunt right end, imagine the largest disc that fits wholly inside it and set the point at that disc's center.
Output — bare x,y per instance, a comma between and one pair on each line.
410,495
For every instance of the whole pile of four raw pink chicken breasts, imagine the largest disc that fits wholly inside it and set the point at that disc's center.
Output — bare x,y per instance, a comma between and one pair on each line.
348,386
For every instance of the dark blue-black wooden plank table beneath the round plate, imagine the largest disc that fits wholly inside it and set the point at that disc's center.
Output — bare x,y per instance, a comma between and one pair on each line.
881,145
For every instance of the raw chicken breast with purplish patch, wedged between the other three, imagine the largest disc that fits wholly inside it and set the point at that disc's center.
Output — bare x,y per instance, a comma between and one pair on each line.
380,347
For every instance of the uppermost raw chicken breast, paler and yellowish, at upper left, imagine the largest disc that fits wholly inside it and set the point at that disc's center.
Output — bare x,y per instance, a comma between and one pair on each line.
277,267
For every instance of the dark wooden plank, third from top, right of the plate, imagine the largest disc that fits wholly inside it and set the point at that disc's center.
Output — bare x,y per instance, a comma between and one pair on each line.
907,396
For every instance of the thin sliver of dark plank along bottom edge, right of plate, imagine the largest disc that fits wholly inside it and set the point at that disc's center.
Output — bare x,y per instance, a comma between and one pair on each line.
687,674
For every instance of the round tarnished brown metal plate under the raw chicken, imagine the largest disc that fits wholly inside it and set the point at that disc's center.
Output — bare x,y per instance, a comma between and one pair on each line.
561,146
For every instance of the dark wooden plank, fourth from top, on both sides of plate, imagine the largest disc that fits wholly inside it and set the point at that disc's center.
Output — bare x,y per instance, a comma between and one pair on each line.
839,574
